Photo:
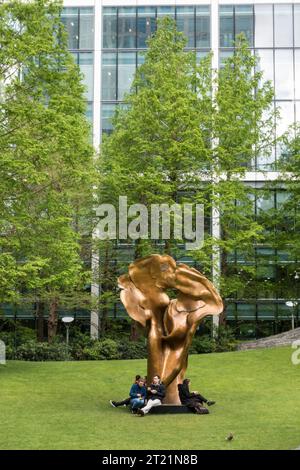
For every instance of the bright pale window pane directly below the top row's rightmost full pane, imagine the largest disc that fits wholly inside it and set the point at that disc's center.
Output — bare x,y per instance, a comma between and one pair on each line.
284,77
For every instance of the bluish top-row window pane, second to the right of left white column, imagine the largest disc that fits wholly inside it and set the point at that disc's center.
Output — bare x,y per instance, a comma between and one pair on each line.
127,28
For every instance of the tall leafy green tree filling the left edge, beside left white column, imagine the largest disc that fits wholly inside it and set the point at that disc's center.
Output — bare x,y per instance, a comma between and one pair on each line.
47,170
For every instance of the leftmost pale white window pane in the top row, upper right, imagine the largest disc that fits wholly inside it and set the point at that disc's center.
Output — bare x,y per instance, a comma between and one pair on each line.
263,25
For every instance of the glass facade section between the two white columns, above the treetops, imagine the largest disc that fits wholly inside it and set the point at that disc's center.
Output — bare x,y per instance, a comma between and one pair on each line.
125,34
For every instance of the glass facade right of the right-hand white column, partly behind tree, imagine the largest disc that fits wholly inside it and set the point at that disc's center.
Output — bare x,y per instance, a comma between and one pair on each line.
273,33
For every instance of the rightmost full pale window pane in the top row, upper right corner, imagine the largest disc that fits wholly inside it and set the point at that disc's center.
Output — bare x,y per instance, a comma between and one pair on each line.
283,23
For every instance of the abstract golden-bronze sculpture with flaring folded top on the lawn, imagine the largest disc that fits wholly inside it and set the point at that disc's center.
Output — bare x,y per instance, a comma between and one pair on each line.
170,324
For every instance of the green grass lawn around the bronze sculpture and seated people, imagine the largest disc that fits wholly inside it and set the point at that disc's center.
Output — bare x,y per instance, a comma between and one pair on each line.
58,405
